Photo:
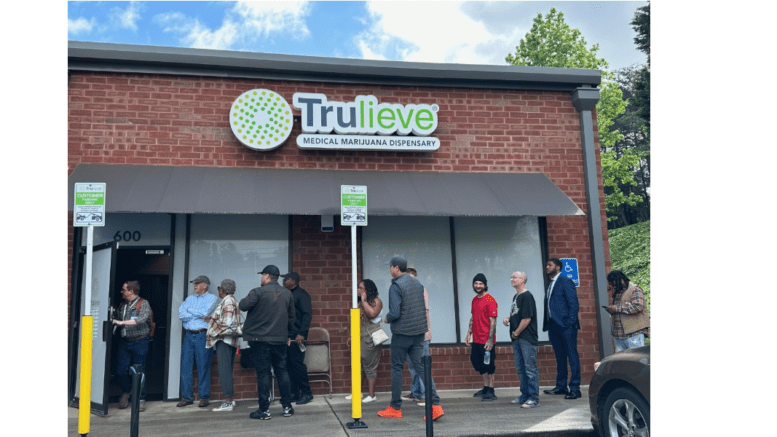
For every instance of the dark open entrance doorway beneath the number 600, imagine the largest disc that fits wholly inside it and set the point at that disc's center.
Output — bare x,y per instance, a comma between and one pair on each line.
151,267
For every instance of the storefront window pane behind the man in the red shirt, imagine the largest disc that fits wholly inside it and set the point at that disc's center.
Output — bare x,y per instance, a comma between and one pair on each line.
497,247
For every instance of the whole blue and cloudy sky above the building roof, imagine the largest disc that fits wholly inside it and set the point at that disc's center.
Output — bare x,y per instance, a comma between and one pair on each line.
439,32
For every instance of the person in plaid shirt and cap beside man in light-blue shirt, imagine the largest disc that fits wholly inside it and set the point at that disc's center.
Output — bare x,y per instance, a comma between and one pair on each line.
222,336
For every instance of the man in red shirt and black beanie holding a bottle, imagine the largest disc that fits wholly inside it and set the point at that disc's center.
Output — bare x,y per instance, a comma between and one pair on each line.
482,330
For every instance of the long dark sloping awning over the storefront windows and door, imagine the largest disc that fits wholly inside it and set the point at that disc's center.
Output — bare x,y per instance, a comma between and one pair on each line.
217,190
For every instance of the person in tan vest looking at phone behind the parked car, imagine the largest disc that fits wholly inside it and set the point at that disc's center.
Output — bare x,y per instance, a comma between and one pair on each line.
630,319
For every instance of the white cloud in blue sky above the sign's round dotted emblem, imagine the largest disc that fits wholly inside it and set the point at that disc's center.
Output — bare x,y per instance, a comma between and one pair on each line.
247,21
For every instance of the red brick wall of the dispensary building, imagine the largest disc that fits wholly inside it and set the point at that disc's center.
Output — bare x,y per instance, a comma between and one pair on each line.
137,119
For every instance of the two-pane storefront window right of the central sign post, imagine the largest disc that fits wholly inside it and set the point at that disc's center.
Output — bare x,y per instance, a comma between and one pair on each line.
494,246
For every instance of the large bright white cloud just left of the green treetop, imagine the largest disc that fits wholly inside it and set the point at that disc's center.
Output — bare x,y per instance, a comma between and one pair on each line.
434,32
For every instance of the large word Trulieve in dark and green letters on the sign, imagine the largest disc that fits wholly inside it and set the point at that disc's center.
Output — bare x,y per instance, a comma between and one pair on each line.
364,116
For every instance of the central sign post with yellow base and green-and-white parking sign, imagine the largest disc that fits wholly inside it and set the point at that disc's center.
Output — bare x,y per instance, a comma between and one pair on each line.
353,212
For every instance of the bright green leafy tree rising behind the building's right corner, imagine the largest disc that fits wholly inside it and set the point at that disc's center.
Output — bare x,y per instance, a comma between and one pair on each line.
552,43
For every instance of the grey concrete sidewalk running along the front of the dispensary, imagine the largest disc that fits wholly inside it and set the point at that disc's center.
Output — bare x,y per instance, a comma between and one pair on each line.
464,416
